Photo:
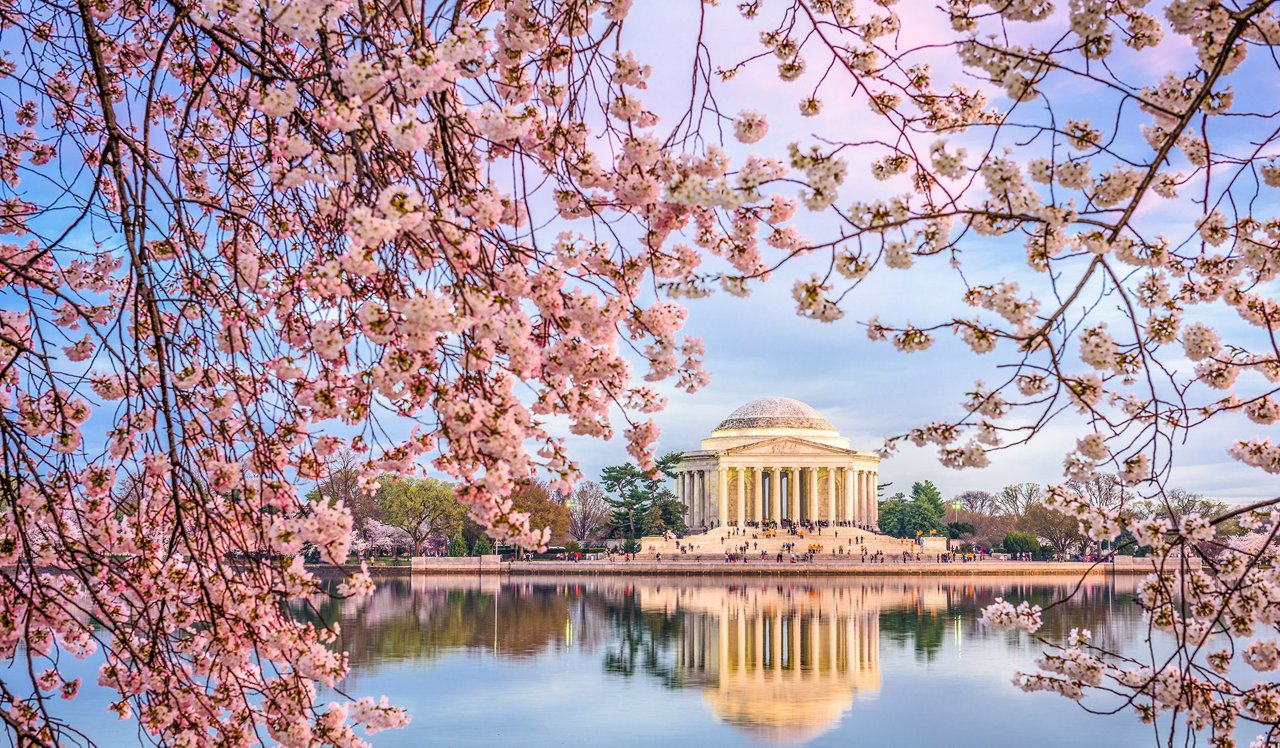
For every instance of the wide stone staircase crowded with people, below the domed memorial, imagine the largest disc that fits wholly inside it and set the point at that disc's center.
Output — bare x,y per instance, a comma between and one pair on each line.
714,544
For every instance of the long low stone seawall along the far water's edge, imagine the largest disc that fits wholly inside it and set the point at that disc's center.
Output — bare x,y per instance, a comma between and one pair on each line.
775,569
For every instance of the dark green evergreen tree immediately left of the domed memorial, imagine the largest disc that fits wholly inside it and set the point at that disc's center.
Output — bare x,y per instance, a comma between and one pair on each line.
642,504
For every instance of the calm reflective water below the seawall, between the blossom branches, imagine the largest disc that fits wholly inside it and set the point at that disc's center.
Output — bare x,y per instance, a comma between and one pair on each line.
730,662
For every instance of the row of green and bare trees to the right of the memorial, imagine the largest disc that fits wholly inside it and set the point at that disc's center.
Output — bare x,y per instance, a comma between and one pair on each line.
1017,519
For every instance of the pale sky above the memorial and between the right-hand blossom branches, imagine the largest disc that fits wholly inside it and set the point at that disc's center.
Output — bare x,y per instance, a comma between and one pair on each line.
760,348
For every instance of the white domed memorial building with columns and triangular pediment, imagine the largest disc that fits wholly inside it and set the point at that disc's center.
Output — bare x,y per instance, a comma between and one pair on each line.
778,460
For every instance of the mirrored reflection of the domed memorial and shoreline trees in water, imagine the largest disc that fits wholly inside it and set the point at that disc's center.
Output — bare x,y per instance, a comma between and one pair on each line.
781,660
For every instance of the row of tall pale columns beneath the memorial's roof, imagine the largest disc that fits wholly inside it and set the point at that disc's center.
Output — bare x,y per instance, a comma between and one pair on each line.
735,495
